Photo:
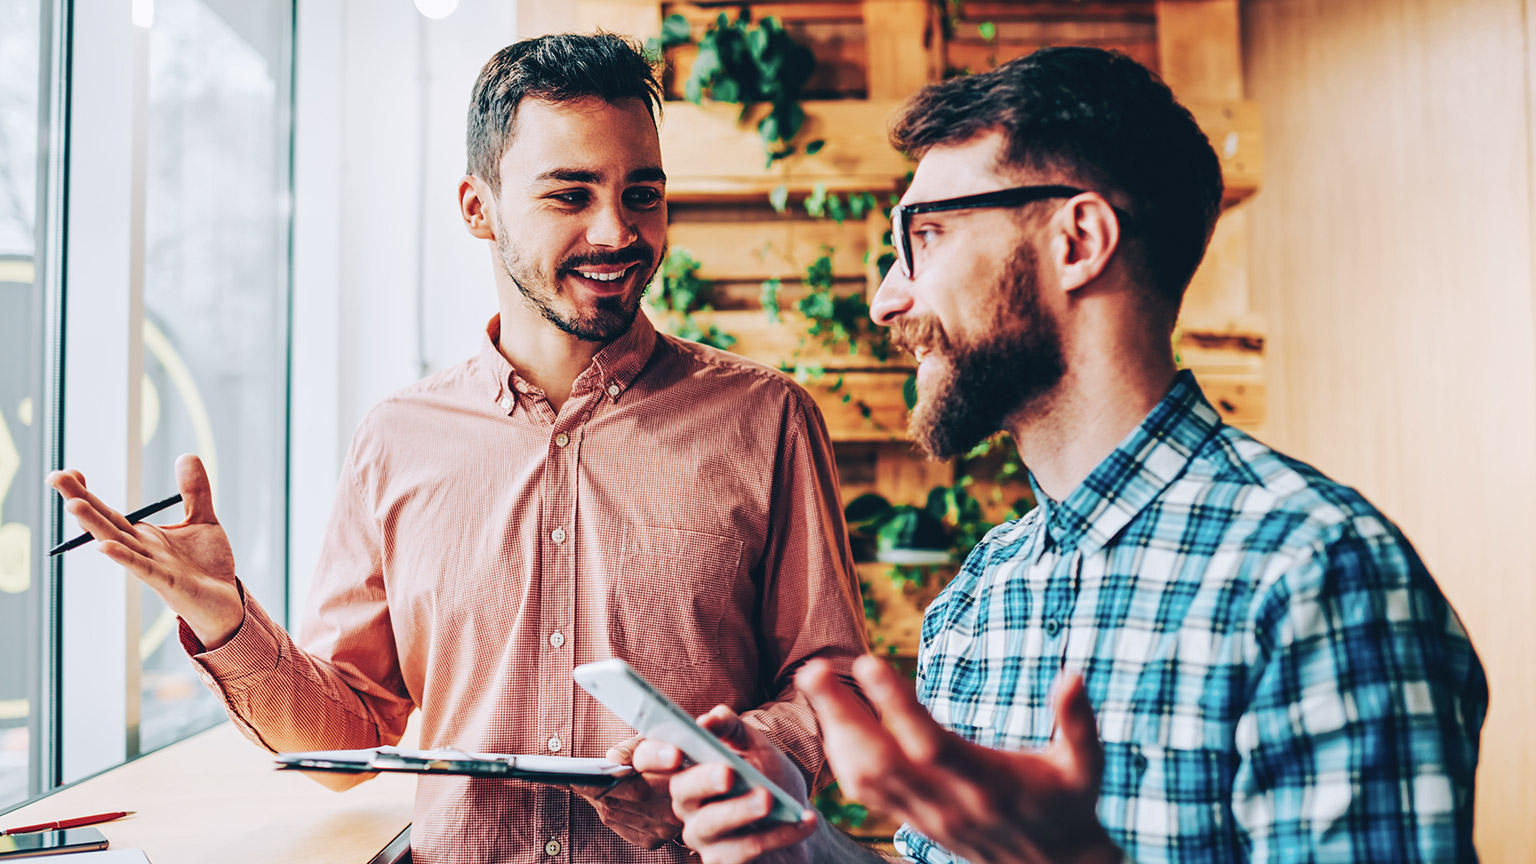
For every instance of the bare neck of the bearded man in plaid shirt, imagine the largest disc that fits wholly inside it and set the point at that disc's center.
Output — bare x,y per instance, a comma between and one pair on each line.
1065,434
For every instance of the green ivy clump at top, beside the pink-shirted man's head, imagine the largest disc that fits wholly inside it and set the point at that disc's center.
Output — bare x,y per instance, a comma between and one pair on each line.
747,64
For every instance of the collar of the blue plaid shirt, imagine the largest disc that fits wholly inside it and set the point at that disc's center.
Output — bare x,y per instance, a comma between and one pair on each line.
1128,480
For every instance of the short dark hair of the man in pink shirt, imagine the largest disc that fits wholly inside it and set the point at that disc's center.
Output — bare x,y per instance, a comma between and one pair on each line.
551,68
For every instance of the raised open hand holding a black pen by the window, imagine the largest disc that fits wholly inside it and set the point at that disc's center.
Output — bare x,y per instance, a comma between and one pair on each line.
190,565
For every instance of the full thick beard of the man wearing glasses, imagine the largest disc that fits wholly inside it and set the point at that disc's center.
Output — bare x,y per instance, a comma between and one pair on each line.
984,382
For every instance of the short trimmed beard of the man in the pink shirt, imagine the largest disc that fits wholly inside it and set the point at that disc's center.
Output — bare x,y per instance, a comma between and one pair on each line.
612,316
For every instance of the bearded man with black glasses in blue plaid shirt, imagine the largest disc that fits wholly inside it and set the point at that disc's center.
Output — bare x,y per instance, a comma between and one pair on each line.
1248,660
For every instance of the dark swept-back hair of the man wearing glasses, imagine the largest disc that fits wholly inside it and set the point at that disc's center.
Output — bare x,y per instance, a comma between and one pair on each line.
1111,124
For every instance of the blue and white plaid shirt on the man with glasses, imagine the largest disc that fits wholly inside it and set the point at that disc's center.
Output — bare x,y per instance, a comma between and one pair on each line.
1274,673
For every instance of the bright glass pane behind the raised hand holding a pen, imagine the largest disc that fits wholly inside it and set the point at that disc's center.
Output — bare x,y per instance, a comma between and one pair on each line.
216,305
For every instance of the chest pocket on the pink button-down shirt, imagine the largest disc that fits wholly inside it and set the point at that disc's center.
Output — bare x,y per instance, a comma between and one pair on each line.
670,599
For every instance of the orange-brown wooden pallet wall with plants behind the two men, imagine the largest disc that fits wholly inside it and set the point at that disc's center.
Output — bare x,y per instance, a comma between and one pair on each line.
872,56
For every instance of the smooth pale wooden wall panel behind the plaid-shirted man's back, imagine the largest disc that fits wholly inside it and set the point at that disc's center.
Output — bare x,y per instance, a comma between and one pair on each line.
1392,265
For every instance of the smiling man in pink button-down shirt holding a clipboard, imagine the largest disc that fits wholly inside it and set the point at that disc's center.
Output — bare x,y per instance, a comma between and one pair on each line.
581,488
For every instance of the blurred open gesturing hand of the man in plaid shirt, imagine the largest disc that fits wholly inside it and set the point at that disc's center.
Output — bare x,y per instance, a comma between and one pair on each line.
982,805
